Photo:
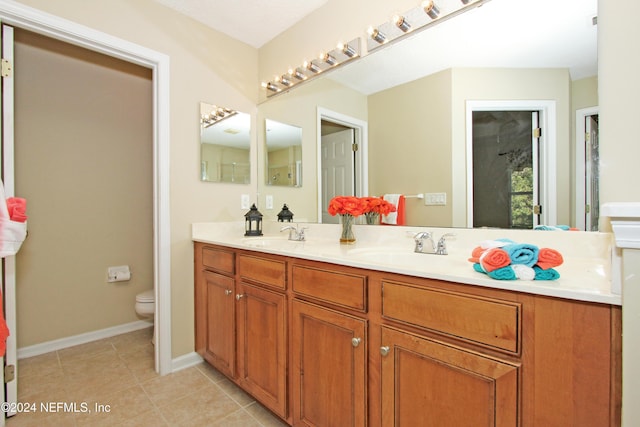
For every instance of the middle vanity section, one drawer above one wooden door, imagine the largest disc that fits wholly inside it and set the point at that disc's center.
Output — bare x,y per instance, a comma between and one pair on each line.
329,360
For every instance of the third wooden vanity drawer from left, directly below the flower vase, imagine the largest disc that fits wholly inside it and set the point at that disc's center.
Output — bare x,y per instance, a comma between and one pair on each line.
344,289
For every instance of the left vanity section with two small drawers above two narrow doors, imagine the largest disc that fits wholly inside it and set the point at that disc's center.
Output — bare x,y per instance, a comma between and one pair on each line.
241,321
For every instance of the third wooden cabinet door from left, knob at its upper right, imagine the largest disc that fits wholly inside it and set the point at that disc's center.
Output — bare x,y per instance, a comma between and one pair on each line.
329,367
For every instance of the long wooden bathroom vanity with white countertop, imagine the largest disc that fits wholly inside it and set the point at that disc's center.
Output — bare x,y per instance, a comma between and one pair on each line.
372,334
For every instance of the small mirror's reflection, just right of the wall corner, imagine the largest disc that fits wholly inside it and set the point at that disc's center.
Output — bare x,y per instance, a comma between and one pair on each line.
284,154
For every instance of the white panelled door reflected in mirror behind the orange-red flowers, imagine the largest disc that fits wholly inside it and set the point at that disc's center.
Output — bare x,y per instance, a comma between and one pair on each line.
337,159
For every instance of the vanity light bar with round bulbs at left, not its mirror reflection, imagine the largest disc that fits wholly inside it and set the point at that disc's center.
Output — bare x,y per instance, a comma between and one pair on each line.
343,53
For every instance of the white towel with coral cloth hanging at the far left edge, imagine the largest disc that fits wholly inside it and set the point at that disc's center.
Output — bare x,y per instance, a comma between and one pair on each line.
13,231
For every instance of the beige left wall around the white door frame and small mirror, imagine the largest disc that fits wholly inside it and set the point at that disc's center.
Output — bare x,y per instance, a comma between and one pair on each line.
205,66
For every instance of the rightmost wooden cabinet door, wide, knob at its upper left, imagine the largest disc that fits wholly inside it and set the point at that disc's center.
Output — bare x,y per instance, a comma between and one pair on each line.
430,383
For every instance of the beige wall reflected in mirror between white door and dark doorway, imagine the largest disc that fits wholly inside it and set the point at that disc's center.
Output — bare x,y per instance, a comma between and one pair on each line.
410,145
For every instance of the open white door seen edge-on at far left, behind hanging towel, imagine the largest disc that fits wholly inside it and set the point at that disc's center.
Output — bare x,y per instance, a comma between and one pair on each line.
9,266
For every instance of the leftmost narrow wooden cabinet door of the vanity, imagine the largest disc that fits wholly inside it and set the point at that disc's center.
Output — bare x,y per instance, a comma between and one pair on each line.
220,343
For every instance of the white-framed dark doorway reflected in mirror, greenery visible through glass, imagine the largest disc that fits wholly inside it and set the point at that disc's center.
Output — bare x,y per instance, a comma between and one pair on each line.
511,162
